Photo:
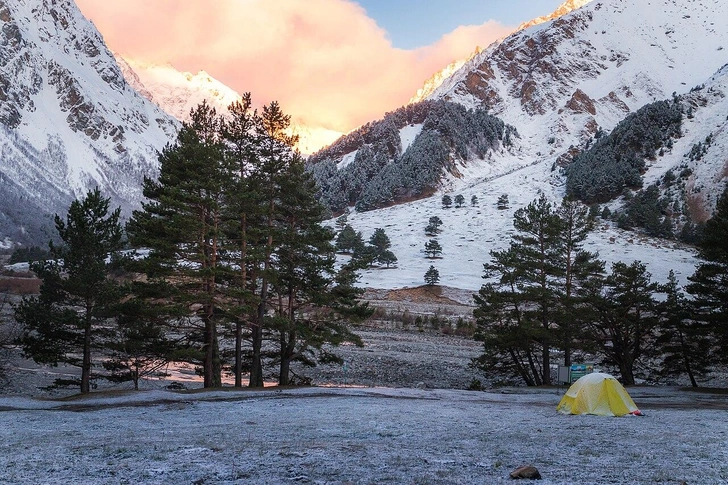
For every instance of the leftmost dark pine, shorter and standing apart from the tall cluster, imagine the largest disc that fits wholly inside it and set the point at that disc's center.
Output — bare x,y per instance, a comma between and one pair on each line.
68,322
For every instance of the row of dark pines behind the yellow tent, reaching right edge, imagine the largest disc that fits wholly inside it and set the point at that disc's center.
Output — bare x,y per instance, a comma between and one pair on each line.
546,294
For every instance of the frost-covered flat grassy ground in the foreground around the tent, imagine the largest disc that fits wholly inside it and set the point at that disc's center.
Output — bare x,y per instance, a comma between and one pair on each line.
354,435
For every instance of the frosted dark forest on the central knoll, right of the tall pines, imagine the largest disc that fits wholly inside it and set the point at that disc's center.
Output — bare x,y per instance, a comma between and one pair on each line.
380,174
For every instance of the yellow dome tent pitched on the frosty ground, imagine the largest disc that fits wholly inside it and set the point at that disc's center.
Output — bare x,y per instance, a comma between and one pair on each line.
599,394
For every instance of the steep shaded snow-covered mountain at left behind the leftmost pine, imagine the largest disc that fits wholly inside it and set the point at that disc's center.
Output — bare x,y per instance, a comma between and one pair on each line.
68,119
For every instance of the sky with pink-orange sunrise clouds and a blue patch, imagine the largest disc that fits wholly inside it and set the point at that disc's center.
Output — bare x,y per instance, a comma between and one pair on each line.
334,64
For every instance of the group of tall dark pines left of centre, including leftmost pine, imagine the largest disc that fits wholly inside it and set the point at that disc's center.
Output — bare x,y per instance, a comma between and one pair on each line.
234,271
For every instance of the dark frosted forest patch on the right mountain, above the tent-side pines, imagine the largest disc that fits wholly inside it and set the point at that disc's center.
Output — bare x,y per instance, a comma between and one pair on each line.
616,161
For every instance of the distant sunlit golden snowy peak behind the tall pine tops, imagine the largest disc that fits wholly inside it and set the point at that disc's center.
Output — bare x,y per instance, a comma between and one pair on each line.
178,92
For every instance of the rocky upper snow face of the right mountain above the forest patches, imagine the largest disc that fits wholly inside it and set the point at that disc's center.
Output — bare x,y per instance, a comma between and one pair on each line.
559,81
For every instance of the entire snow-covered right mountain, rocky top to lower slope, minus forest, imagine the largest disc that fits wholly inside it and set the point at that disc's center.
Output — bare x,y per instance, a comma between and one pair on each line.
558,82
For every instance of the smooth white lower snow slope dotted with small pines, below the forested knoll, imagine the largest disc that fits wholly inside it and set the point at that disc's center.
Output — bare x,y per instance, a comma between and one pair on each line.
470,233
